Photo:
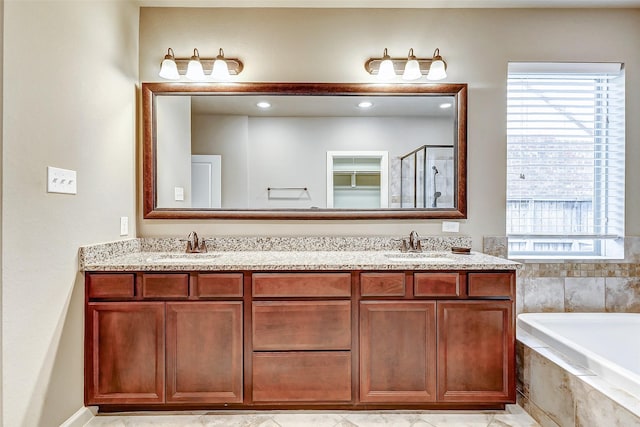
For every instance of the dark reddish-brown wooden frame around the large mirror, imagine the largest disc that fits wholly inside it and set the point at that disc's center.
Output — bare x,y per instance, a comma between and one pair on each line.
151,90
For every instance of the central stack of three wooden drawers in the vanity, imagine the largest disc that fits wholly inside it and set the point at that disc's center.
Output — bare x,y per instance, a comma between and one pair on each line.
301,338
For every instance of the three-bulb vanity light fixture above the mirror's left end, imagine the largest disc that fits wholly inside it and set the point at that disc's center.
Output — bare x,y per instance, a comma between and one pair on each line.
197,69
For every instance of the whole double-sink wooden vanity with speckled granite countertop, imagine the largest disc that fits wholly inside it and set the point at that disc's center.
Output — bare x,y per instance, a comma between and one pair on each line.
318,330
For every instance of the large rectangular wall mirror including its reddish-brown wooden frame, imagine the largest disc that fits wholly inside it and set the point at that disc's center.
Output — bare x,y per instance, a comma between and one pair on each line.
304,150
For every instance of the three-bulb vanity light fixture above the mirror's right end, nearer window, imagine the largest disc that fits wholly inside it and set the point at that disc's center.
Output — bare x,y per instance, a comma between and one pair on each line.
411,68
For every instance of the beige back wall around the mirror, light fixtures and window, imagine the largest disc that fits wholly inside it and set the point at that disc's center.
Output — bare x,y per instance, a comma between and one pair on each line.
333,44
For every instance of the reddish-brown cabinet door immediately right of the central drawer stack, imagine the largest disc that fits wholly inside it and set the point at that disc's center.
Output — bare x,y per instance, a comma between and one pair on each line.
397,351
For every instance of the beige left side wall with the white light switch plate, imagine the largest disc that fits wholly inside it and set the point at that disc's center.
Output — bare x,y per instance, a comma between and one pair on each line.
70,71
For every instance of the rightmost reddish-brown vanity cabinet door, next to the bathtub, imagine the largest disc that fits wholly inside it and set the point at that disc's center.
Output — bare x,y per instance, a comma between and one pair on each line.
476,351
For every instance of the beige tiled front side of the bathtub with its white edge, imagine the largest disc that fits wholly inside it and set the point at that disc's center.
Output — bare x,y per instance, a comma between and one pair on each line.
558,393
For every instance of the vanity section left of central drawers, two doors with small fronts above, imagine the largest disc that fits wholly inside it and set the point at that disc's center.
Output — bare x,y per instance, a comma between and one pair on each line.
153,347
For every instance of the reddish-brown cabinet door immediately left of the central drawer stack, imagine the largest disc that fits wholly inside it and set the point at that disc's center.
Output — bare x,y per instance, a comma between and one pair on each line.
204,352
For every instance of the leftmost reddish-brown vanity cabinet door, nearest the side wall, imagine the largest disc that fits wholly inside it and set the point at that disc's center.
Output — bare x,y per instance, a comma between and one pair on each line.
124,360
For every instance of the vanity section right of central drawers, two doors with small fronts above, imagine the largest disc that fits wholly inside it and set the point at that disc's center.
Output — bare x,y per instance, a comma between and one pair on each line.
447,339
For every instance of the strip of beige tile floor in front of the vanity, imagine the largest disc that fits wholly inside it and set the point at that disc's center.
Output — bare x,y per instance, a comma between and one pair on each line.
512,416
